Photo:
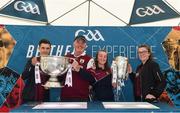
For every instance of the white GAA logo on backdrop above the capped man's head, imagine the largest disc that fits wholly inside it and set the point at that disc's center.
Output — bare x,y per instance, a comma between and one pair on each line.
90,35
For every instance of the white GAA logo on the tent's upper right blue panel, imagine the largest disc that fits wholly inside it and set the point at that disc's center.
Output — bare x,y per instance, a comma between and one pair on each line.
149,11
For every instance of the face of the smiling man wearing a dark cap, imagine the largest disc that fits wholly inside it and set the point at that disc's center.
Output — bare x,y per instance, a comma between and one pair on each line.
79,46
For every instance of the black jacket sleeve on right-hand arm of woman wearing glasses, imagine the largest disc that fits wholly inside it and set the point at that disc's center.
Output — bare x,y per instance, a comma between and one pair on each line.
159,81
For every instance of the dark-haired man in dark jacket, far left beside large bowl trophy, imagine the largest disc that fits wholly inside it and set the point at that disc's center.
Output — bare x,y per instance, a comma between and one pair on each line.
34,78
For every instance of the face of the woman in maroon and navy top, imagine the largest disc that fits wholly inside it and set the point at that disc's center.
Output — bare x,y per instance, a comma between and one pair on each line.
102,57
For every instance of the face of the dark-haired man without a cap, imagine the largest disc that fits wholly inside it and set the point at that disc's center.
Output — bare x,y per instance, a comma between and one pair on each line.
44,49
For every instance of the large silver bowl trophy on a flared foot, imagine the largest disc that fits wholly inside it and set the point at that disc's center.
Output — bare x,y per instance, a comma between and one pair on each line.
54,66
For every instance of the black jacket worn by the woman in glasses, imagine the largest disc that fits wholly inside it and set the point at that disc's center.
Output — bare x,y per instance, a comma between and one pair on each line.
152,80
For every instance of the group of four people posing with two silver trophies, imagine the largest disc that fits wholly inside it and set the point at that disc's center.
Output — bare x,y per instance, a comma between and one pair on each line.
92,75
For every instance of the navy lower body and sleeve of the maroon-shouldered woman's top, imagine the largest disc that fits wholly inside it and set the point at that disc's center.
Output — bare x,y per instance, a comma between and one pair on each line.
102,89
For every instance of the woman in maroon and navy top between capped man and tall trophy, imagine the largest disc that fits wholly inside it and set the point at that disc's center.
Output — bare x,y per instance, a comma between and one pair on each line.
100,77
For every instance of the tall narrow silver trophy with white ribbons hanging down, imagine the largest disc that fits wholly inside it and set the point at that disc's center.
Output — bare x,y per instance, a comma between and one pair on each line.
119,73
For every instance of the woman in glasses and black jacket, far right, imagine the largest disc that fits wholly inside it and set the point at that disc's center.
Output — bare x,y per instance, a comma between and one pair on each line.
148,81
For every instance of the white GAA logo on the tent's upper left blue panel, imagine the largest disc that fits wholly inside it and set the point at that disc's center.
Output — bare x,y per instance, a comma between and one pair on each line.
28,7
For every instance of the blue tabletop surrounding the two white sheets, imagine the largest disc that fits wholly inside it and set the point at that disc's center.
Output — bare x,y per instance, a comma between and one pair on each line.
98,107
